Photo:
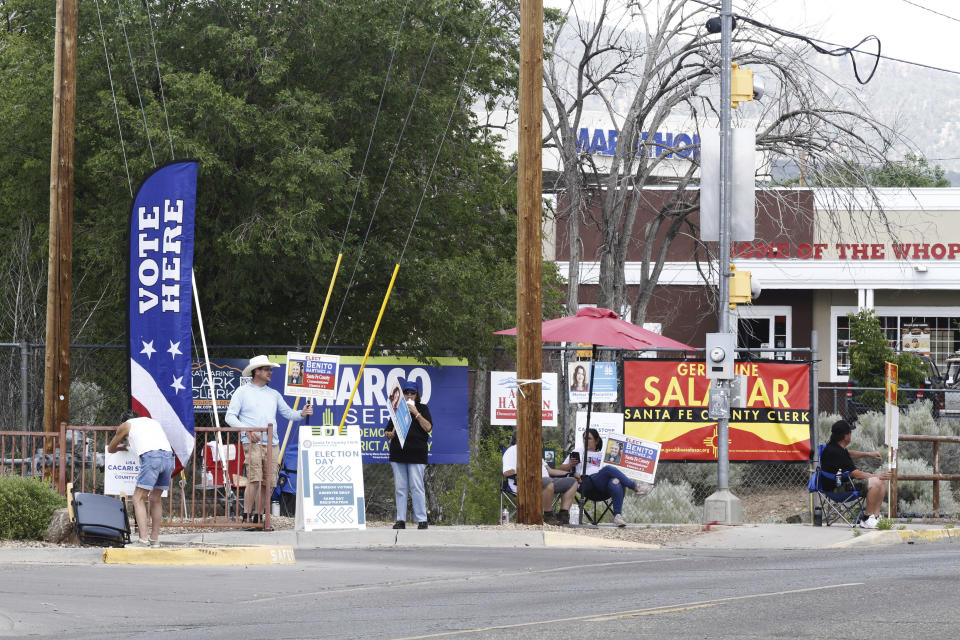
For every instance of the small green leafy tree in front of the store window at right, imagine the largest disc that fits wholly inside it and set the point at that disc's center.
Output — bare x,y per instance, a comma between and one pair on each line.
868,352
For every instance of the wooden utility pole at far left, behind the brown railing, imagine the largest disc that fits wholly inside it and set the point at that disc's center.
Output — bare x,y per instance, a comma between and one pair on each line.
56,383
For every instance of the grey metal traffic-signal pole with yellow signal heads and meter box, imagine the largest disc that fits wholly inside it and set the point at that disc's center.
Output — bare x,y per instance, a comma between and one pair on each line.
722,506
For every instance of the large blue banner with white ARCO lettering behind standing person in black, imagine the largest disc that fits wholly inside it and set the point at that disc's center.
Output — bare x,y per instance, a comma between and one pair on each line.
444,391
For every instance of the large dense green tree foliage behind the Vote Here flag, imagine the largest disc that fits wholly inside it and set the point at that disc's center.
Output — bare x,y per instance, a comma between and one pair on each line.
277,101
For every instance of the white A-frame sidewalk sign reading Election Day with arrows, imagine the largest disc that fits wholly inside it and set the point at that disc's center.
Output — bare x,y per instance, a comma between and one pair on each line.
330,479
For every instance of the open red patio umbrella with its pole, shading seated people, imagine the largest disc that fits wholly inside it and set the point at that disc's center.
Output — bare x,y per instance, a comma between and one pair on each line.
599,326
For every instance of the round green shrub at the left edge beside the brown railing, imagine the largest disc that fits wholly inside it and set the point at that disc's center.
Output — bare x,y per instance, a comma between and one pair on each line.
26,505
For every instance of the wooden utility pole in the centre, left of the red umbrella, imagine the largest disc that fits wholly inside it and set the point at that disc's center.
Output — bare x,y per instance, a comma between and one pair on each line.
529,264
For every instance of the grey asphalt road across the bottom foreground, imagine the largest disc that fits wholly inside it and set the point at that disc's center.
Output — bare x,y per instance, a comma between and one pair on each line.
901,591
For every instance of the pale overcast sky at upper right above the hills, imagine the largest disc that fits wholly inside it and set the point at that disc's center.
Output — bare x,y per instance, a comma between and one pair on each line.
905,29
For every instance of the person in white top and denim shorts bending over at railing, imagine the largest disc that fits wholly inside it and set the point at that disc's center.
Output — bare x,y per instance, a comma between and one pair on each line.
145,437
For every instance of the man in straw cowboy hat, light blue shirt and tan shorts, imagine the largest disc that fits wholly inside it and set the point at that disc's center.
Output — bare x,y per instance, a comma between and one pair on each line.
254,406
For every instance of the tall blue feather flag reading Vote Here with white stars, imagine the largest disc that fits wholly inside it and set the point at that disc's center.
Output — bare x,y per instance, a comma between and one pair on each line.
161,266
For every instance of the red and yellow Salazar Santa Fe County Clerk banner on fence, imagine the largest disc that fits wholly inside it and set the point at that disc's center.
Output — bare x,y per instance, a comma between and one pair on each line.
667,401
